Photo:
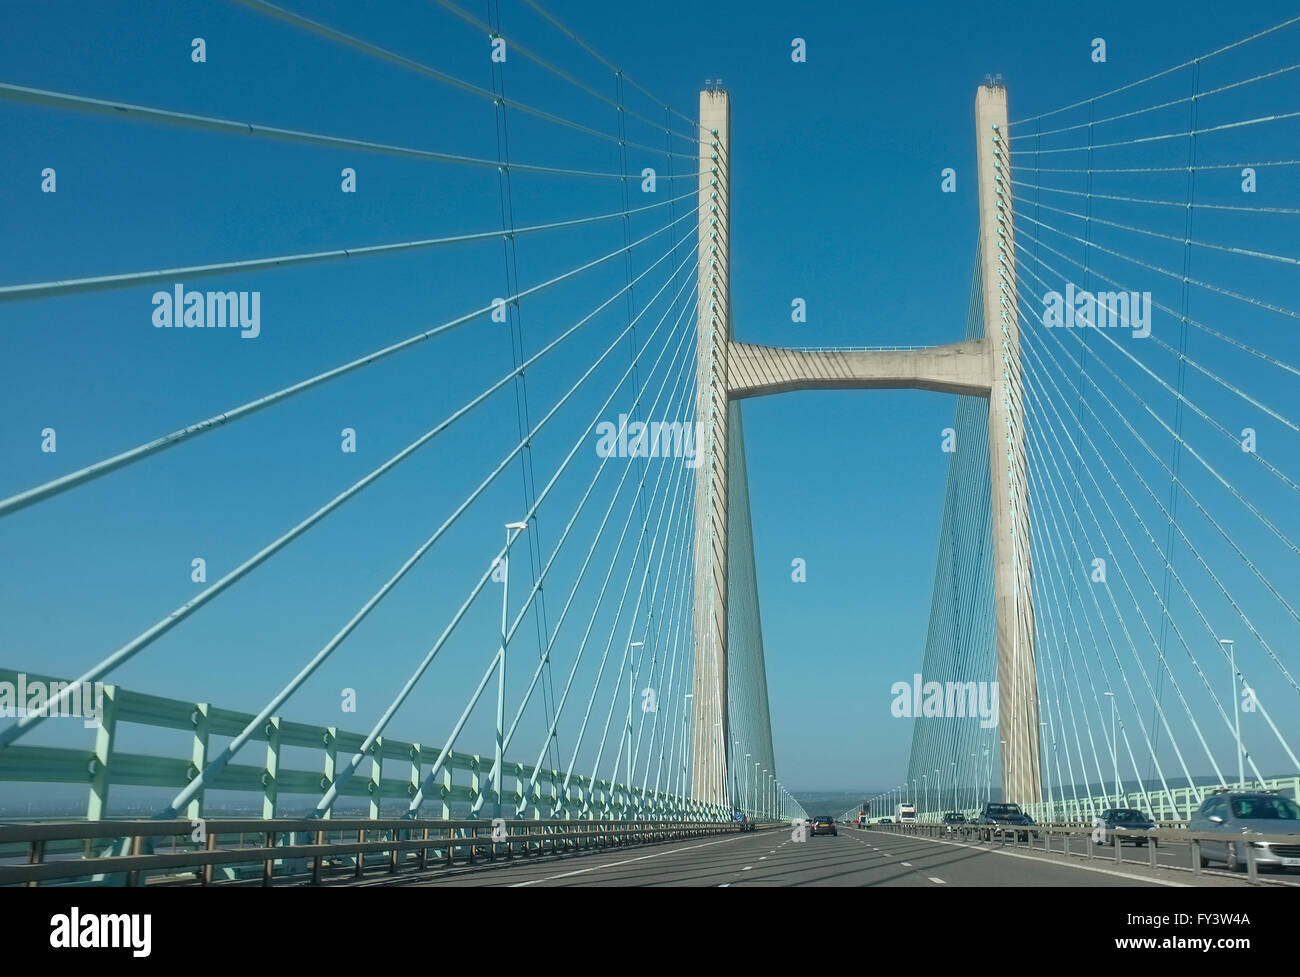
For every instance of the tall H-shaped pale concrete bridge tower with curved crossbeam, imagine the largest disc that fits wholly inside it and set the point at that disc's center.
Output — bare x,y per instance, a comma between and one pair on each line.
729,372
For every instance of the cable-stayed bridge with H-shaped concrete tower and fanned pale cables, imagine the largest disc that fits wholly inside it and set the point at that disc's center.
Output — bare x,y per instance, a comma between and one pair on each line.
525,516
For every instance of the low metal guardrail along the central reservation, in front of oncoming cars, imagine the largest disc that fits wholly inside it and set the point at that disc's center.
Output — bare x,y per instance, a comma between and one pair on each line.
1116,839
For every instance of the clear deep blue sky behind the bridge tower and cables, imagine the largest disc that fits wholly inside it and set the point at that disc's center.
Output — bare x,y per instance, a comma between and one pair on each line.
837,196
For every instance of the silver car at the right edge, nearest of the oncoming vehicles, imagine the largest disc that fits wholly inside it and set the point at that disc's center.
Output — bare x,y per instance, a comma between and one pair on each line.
1234,813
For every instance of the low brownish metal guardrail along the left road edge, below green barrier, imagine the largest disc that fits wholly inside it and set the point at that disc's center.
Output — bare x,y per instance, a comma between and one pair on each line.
307,852
